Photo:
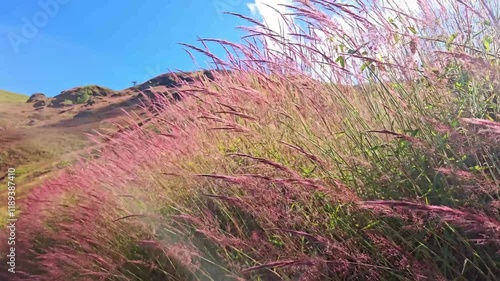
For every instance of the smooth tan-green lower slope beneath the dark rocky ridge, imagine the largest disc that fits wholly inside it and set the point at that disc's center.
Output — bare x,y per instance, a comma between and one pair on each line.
39,151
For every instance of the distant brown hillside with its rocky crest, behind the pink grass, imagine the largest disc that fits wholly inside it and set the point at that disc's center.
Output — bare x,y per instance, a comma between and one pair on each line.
39,135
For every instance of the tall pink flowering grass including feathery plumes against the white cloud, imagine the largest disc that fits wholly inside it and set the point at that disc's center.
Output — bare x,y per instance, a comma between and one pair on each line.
364,148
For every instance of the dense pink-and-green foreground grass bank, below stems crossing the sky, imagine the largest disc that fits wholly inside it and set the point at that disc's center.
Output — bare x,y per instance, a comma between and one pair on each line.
300,181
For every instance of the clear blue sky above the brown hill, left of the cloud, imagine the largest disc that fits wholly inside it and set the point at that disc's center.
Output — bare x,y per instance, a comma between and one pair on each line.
104,42
